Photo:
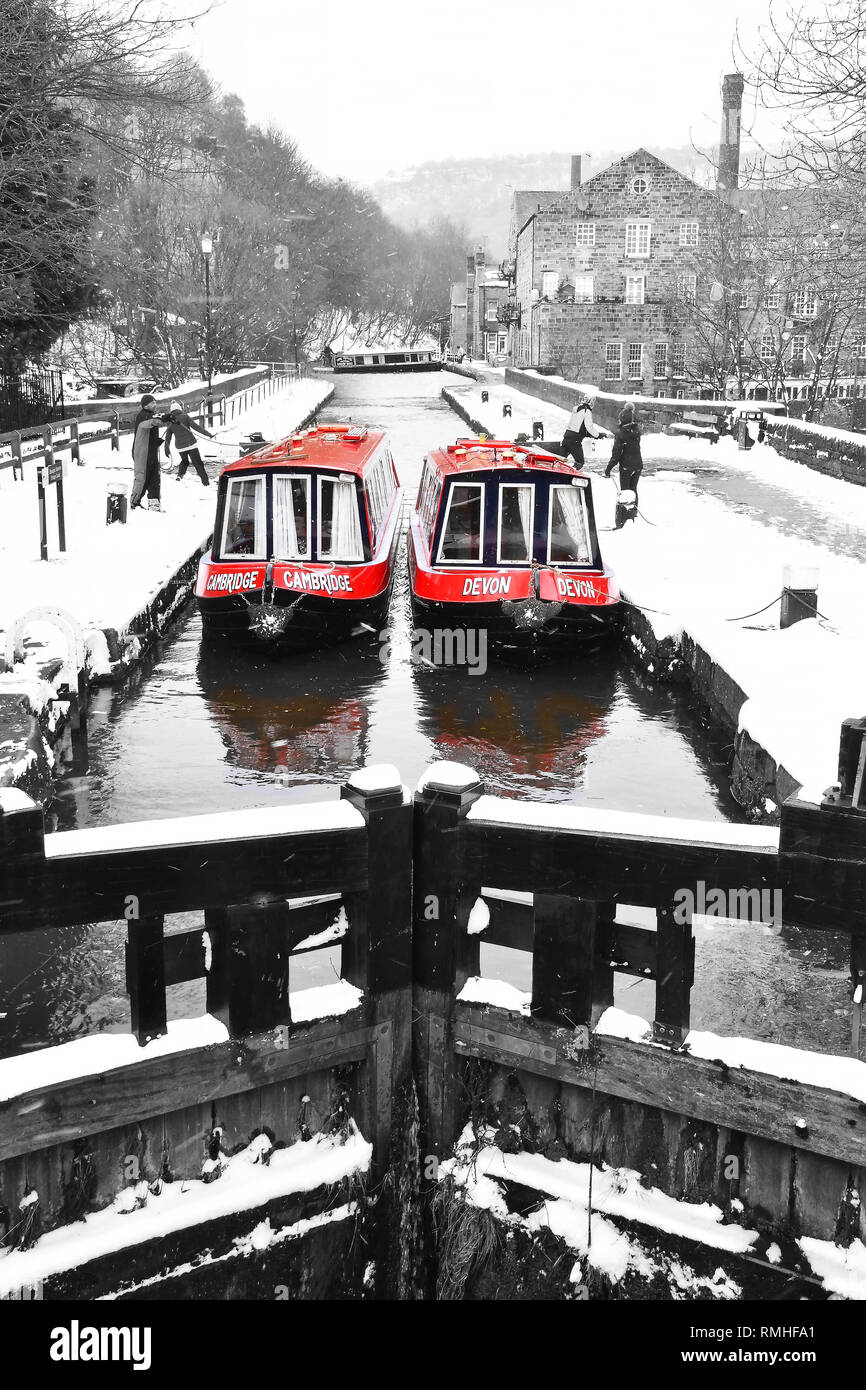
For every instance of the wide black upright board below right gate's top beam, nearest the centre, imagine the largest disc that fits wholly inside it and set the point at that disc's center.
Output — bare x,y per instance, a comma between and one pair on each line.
572,975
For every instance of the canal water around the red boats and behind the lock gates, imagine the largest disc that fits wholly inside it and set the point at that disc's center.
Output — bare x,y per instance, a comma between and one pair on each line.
199,732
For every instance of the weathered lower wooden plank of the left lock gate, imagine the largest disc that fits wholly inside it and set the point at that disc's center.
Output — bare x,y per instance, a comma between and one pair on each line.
87,1106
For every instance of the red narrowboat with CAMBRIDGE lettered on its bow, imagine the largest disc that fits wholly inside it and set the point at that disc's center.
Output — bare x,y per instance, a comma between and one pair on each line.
305,541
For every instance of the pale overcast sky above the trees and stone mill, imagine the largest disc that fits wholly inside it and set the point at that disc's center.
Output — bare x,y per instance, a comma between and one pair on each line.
365,88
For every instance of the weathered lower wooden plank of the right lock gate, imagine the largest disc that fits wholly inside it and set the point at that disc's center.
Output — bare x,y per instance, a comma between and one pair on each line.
750,1102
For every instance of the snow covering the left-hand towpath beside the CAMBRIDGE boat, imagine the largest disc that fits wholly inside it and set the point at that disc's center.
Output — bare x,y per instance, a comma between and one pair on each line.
111,573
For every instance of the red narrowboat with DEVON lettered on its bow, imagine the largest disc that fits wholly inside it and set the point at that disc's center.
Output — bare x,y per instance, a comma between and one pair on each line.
504,540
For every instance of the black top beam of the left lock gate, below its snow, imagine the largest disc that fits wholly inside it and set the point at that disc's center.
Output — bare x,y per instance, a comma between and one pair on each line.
98,888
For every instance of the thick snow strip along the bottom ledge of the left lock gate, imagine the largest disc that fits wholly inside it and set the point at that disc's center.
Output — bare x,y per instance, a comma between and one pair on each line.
162,1213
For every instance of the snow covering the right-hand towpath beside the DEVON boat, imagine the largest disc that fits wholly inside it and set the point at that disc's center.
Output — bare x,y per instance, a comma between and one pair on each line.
696,565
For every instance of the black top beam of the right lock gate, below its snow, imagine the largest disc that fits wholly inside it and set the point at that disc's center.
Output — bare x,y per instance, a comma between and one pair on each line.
591,865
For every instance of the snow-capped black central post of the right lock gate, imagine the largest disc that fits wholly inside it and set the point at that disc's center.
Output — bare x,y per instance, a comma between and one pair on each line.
440,899
